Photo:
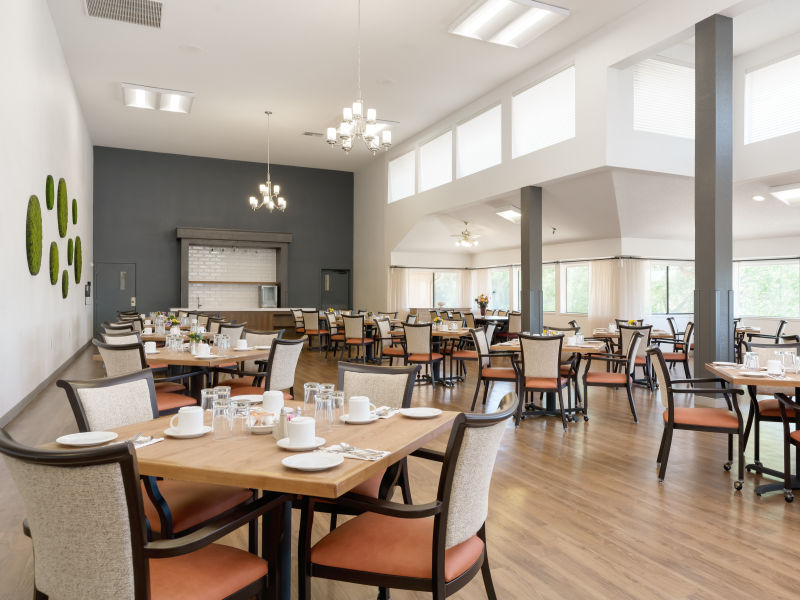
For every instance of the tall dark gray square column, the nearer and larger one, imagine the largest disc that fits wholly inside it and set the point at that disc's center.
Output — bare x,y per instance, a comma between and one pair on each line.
713,189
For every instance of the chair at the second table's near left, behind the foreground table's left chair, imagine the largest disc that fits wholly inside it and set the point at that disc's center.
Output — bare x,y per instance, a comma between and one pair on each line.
130,358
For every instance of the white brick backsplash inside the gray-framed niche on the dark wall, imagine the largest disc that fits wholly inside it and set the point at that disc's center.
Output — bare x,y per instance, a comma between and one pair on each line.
211,263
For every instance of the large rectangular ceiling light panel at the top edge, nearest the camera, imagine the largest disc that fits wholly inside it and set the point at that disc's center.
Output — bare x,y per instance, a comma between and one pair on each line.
513,23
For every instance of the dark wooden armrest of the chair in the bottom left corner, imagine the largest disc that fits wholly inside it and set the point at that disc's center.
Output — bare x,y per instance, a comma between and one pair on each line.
215,529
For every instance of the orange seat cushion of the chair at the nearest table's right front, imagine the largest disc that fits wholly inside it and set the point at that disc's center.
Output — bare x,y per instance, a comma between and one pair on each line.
392,546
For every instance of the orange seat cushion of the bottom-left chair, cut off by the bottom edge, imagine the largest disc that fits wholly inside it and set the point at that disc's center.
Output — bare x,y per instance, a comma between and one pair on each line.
215,571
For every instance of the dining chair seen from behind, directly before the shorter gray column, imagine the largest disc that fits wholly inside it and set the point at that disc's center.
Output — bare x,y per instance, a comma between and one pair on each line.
540,371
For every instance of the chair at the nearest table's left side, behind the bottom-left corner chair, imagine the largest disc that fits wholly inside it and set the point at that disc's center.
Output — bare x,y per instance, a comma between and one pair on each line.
172,507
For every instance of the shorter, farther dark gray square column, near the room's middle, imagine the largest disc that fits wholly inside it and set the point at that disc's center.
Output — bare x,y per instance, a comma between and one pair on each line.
531,242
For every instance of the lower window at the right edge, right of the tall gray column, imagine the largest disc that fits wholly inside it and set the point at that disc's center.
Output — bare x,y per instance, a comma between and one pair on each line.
768,289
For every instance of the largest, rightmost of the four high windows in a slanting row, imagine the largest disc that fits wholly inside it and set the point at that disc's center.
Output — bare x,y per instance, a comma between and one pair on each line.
544,114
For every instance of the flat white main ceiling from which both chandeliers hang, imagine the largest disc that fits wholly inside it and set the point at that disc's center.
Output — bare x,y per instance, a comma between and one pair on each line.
297,59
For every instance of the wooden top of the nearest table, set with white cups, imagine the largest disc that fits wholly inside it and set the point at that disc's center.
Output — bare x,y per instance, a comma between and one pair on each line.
254,461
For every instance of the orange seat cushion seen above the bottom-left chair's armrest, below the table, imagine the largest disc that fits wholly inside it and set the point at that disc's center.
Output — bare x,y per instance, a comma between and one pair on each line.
193,503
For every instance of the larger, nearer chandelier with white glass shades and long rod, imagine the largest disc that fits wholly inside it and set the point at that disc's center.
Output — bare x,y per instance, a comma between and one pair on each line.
355,123
